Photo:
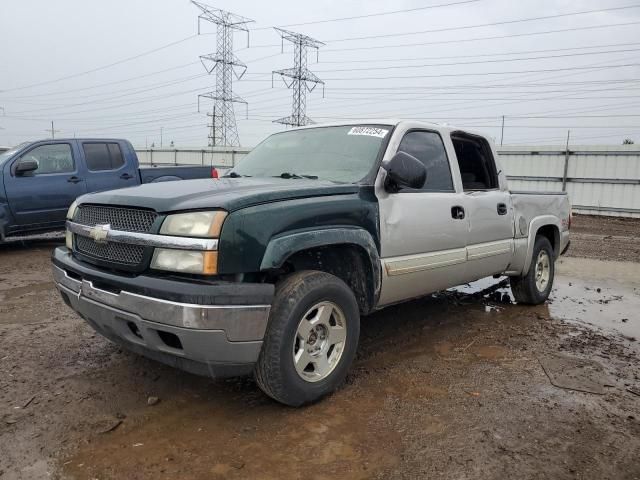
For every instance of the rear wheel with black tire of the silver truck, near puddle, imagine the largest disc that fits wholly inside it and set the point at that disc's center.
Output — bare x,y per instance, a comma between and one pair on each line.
529,289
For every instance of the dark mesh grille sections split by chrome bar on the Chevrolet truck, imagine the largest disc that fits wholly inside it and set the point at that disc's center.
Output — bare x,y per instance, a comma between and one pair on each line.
119,218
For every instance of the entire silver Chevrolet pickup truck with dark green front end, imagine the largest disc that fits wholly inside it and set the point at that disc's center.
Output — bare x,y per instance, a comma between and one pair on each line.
268,270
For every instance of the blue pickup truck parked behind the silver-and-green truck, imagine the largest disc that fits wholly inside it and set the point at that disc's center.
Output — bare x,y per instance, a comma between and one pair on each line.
40,180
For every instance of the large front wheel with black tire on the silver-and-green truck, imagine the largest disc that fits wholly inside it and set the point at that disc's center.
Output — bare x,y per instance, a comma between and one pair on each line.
308,295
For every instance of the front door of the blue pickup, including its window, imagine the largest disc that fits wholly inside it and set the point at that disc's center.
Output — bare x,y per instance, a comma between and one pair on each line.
41,198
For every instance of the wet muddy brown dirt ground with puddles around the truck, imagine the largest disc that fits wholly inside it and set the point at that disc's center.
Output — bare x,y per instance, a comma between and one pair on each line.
460,385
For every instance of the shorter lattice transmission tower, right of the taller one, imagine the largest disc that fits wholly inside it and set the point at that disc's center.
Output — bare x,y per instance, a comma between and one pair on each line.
299,78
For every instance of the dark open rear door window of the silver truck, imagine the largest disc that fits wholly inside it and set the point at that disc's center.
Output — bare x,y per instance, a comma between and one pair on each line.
477,166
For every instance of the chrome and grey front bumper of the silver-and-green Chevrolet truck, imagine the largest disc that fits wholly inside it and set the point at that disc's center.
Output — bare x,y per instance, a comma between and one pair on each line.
211,340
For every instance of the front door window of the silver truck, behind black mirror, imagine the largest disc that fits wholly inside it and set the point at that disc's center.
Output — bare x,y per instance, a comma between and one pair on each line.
429,149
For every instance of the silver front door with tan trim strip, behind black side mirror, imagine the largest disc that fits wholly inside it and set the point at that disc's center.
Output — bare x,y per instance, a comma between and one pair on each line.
423,231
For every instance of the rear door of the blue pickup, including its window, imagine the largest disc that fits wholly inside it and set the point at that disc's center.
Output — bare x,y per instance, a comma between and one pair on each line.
106,166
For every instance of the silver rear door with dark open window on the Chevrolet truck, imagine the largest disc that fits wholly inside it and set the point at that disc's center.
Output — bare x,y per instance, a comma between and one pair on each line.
488,207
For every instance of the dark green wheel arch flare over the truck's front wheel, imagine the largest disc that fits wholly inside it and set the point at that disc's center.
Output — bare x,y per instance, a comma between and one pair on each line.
349,253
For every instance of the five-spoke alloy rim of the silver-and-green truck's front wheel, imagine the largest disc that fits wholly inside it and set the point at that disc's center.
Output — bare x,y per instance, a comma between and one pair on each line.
320,341
